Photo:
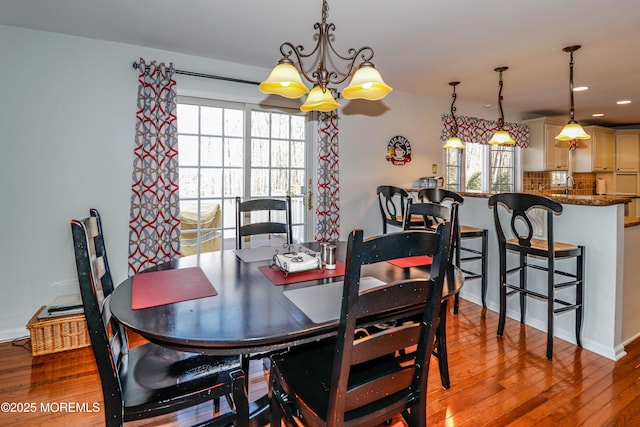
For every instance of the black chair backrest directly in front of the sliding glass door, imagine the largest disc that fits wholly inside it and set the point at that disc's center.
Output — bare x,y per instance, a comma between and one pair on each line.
265,210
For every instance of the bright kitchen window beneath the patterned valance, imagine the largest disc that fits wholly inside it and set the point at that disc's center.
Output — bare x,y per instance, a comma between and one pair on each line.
481,168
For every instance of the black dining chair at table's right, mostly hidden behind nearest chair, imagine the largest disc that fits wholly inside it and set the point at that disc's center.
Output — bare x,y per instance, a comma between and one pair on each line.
432,215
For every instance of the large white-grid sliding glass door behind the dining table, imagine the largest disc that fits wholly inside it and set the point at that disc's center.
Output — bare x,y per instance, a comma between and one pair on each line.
227,150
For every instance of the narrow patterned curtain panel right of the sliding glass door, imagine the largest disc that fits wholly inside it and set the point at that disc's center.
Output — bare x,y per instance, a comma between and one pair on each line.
328,181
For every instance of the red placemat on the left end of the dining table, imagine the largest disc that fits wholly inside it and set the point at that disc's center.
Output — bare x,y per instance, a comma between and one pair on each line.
168,286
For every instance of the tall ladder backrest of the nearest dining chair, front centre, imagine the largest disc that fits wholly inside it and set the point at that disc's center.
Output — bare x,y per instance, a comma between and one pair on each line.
404,384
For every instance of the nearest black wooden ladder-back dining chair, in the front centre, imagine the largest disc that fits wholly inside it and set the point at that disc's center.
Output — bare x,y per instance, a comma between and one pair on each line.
353,381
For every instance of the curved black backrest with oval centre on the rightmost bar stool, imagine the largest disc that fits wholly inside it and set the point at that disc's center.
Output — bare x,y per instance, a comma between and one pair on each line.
518,207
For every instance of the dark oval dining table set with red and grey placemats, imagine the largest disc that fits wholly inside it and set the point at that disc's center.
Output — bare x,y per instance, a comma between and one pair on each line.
250,306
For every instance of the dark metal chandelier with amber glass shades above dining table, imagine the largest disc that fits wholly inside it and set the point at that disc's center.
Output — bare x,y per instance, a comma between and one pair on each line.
286,78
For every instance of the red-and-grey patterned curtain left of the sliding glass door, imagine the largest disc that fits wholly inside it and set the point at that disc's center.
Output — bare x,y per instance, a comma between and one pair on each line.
154,223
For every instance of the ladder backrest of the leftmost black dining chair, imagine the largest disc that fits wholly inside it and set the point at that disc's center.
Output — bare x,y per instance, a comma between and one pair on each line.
108,337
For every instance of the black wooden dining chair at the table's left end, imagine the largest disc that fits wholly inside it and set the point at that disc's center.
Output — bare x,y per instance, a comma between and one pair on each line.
147,380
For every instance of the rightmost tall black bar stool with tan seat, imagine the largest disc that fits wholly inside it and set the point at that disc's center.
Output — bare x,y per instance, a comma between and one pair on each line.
518,208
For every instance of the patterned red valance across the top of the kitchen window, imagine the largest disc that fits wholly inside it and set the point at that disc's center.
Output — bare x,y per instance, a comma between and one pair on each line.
480,131
